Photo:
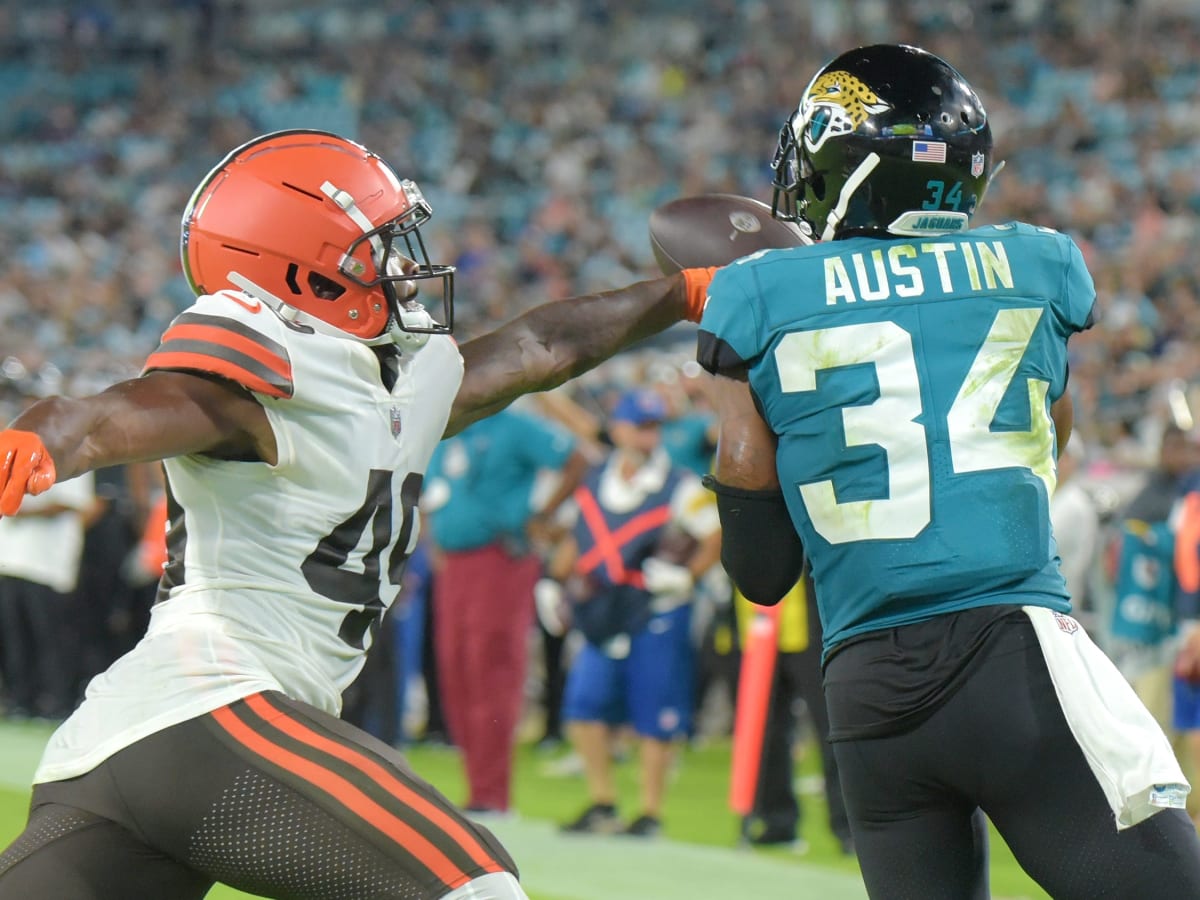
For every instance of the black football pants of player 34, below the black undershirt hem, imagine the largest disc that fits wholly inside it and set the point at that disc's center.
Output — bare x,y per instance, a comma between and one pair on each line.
1001,745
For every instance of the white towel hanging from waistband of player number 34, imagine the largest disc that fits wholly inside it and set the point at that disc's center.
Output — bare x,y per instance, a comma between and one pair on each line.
1125,747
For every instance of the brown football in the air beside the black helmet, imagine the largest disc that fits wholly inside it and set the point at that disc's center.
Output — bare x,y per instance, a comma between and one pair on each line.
715,230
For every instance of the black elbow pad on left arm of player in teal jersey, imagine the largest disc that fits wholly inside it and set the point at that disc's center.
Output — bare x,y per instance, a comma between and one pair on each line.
760,549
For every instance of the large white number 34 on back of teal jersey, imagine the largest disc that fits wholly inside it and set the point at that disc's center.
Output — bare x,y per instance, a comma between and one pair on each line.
891,421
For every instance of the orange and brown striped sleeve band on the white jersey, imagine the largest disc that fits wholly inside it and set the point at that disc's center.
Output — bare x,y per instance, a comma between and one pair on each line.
224,347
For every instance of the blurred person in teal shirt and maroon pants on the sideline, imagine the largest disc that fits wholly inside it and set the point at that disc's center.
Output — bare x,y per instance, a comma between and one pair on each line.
481,503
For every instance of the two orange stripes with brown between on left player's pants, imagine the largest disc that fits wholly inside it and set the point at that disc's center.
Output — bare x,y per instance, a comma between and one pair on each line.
351,777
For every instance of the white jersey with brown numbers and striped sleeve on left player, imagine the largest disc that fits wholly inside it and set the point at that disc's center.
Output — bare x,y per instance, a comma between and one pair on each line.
278,575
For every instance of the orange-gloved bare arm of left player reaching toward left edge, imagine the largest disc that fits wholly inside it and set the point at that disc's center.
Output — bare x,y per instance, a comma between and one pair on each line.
152,418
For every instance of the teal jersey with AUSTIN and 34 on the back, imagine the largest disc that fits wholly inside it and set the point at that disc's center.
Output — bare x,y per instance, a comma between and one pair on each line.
910,383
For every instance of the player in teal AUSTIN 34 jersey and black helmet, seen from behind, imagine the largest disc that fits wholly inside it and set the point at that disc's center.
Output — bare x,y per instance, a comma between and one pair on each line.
893,400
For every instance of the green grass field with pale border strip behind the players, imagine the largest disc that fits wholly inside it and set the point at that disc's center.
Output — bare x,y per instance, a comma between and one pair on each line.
698,859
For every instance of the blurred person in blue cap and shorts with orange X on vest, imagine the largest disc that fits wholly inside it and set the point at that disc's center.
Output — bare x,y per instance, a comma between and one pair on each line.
645,533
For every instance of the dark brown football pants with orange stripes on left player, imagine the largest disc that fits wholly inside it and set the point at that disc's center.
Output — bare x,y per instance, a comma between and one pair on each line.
266,795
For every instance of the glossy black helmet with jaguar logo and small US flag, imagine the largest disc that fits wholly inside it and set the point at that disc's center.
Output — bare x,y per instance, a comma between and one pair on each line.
887,140
